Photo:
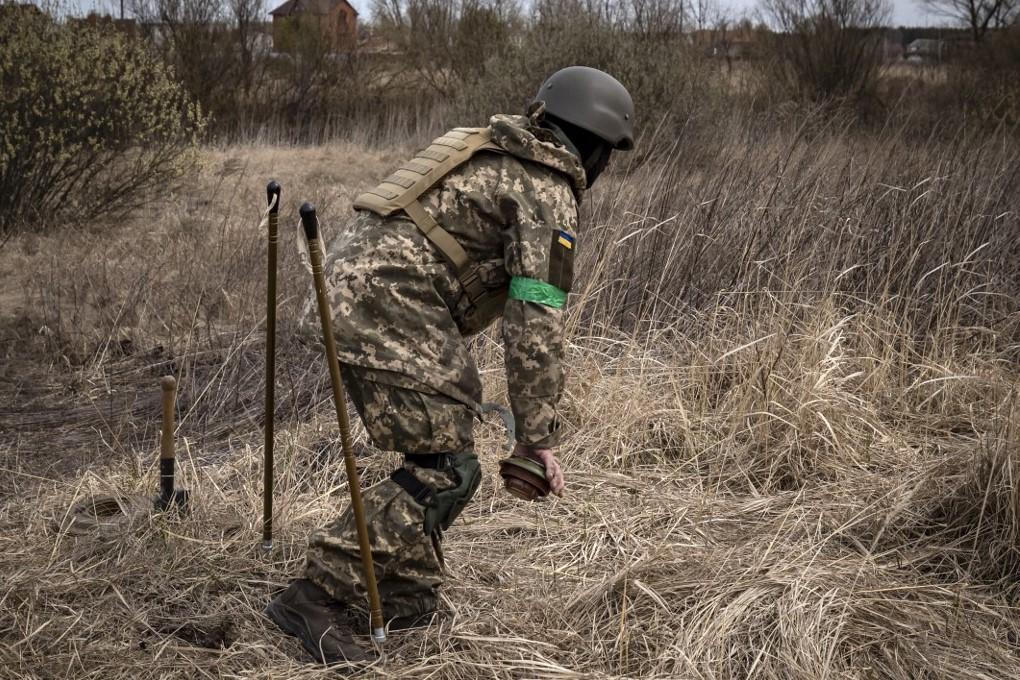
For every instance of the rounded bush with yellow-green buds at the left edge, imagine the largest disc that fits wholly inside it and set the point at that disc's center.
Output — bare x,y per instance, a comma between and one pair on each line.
93,123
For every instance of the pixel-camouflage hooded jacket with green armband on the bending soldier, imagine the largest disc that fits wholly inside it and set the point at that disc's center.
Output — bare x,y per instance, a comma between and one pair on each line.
399,308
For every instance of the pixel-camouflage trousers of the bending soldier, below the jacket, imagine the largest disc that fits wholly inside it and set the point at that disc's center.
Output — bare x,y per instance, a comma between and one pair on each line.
409,563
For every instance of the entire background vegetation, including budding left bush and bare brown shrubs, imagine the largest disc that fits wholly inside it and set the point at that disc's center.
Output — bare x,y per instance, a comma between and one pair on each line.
122,104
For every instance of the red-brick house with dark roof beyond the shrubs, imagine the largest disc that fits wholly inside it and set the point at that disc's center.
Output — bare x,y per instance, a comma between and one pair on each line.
336,22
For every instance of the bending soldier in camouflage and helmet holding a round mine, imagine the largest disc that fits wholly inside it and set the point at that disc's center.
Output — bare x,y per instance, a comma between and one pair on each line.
482,224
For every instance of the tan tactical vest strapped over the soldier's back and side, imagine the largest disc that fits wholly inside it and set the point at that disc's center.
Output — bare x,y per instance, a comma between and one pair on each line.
401,191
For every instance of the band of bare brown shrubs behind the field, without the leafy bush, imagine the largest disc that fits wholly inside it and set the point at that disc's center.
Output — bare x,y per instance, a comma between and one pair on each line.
470,58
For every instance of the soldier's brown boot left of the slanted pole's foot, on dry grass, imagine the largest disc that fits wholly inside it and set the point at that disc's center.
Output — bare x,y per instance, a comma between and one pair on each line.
325,626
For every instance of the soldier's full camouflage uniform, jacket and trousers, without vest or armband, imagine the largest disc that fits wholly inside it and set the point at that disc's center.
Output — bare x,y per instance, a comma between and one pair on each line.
399,316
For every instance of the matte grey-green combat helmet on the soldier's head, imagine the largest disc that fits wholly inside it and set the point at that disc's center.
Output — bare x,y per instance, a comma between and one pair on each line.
592,100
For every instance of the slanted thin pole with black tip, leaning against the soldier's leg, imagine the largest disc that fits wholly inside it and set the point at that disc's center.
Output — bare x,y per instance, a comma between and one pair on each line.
311,223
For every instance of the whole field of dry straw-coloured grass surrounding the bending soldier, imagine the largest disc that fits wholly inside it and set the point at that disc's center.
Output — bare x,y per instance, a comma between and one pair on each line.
793,447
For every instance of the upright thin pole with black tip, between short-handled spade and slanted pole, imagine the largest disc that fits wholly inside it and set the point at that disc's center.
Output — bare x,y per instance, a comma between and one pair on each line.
273,196
